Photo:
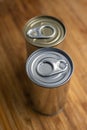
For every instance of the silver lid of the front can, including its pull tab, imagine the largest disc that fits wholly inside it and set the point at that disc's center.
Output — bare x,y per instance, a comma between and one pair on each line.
49,67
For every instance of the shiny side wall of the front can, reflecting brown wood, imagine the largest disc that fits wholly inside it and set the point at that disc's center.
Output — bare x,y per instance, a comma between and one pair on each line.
48,101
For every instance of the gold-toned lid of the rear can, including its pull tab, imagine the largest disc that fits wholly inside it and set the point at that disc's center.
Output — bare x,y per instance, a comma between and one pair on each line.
44,31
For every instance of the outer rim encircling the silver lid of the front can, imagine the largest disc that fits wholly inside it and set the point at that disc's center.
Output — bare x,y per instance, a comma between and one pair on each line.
56,86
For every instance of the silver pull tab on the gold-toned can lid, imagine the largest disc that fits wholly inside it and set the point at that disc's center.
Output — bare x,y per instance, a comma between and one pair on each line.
38,32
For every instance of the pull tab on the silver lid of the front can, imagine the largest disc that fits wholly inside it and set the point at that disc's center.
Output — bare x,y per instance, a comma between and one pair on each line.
49,67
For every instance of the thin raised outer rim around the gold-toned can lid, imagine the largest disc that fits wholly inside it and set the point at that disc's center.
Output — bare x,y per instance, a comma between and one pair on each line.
49,45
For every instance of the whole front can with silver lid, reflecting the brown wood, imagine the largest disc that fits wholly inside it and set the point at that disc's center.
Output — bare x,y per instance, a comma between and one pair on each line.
49,70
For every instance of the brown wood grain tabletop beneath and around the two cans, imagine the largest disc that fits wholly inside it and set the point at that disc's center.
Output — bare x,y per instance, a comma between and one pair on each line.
15,111
